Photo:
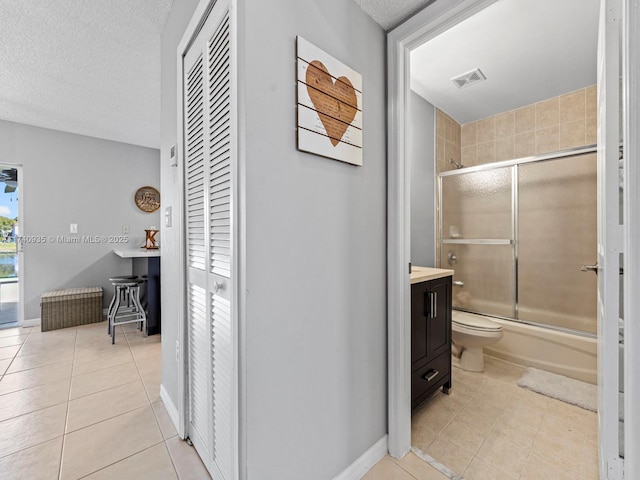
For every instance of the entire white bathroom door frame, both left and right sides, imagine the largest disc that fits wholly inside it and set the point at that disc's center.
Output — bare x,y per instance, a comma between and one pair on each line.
433,20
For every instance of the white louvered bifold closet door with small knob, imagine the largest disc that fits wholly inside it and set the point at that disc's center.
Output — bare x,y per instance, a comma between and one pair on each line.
209,170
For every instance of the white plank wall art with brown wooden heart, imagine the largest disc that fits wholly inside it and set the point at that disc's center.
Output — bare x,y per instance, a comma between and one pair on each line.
329,105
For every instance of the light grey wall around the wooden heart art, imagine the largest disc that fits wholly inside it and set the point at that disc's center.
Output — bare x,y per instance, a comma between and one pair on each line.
316,253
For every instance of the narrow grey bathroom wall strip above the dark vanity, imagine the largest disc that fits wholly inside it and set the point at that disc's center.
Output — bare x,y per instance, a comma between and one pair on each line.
421,157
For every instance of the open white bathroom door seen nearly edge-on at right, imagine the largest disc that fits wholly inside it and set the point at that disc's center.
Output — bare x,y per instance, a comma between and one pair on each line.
610,236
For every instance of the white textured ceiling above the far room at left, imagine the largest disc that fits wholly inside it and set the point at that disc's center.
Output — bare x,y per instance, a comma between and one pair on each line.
86,67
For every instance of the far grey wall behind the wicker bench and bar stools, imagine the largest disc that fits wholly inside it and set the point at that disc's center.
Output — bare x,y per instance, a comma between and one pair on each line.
71,178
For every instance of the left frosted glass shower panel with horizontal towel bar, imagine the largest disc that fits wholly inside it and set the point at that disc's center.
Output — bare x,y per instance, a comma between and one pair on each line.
477,240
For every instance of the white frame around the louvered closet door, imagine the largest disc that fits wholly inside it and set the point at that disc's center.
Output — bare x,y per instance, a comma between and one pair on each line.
238,266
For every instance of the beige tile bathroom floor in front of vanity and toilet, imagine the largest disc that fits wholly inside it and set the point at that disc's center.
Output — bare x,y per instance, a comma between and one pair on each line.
491,429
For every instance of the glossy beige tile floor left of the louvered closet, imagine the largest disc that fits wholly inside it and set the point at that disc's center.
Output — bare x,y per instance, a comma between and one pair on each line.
74,406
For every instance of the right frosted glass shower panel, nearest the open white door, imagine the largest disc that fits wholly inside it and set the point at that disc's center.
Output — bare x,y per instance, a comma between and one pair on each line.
557,220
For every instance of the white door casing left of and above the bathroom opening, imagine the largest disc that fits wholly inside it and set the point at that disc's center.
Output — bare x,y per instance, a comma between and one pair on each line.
428,23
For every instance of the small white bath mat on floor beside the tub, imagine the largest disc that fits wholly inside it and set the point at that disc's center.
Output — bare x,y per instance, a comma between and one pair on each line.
562,388
